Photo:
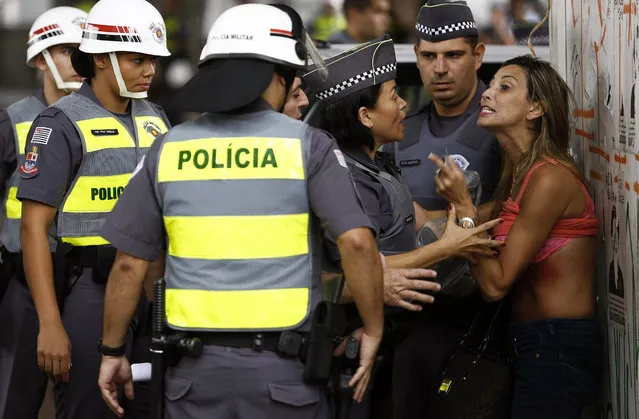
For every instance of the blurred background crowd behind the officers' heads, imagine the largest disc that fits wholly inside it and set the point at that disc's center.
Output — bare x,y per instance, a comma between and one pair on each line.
501,22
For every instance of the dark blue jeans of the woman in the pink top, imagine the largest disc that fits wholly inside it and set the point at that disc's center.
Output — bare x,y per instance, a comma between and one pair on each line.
558,364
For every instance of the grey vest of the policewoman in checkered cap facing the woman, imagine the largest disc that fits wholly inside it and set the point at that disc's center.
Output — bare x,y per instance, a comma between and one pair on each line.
401,236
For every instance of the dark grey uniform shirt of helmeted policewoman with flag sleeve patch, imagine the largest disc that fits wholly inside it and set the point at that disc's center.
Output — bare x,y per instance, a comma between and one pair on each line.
59,159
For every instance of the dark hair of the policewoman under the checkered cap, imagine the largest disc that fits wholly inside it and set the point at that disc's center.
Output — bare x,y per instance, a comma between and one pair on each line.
342,121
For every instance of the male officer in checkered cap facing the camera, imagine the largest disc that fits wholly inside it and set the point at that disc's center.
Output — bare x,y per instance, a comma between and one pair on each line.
448,57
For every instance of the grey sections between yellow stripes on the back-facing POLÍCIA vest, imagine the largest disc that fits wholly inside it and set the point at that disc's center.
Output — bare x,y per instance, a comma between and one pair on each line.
252,197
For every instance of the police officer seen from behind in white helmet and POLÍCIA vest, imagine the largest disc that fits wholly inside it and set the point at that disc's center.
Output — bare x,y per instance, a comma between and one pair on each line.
238,199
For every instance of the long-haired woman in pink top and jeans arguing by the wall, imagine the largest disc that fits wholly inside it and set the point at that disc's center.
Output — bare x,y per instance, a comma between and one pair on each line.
547,265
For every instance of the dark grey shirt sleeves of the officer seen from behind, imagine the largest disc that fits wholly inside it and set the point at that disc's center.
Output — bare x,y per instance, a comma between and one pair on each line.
135,226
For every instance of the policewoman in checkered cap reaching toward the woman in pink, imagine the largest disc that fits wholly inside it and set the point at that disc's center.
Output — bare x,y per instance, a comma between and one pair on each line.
362,109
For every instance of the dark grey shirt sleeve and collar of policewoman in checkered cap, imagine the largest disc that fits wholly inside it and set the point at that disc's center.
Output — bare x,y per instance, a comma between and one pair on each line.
371,193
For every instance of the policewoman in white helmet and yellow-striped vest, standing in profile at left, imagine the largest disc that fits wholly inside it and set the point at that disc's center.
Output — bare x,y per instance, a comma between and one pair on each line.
81,153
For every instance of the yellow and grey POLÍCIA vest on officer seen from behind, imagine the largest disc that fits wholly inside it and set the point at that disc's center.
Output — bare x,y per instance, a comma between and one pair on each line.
238,223
